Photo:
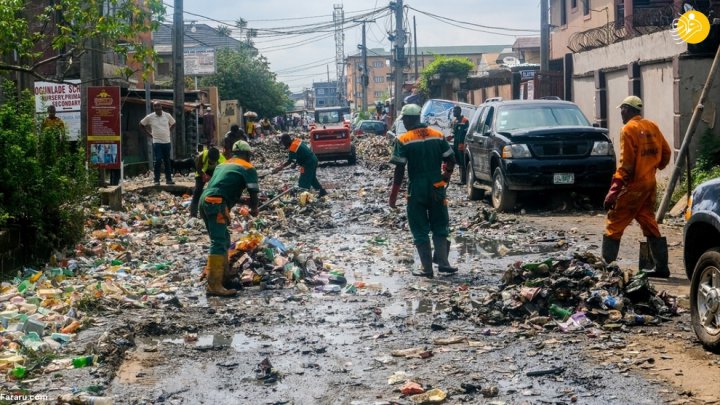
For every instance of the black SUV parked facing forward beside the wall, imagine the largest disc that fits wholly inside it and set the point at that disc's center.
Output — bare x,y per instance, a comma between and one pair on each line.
528,145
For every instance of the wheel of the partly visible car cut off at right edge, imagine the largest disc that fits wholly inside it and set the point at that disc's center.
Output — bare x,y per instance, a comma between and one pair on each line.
705,299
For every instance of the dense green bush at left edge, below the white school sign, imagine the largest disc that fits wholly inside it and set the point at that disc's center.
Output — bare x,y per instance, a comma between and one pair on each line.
43,185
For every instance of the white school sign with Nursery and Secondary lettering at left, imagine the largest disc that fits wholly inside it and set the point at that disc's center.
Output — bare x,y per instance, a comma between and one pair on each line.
66,99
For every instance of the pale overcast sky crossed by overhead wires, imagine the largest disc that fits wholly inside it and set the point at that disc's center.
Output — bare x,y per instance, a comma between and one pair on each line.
300,59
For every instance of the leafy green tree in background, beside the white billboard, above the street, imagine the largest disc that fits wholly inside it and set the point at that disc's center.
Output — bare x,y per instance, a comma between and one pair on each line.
241,75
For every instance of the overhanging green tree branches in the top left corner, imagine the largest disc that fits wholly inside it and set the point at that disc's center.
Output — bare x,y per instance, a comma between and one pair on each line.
40,35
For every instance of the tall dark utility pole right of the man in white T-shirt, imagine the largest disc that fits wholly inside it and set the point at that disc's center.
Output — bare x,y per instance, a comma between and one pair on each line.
179,79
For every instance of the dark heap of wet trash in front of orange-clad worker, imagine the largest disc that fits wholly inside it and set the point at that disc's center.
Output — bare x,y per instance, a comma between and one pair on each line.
569,294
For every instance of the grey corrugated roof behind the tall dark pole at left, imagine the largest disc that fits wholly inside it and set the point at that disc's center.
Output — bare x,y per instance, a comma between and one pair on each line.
203,37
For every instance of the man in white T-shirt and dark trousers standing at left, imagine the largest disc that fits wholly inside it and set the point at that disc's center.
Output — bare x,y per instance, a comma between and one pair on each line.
158,125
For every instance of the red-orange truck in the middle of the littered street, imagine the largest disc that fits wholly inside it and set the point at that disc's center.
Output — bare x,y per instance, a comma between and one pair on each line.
330,137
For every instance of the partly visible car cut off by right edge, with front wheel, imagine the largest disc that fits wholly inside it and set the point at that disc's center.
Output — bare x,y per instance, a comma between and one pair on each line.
701,253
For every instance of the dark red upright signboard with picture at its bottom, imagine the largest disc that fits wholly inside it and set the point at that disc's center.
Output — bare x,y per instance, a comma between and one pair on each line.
103,146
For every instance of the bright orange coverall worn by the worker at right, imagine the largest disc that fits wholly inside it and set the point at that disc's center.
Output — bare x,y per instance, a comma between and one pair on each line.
643,150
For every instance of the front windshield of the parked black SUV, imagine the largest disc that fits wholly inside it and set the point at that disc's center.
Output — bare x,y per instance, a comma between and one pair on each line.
512,118
